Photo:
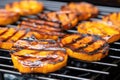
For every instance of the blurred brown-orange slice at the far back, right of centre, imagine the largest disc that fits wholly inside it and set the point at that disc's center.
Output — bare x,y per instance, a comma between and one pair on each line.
83,9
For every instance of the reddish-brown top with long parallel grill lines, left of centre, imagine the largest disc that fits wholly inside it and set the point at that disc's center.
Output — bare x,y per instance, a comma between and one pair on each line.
42,27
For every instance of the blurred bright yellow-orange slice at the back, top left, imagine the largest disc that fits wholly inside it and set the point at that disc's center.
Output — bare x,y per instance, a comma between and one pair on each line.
25,7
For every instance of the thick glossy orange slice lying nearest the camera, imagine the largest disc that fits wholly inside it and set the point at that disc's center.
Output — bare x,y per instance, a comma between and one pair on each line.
30,61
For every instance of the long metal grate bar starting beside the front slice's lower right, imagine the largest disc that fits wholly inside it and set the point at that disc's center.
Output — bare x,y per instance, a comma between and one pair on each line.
88,70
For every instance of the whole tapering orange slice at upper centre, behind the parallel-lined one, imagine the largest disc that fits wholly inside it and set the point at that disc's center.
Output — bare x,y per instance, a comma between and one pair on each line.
67,19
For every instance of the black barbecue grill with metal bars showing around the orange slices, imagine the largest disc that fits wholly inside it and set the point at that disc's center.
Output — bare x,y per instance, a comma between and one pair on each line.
106,69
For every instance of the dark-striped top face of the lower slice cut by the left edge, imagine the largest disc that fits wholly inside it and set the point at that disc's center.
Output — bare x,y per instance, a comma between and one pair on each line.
12,34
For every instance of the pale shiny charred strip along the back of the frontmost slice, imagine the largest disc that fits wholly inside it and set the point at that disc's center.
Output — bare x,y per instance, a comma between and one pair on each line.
37,45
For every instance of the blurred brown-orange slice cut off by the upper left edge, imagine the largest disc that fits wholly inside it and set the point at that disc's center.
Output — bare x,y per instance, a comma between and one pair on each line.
8,17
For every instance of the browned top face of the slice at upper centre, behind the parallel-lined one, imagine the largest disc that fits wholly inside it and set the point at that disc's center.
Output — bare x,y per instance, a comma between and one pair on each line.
58,17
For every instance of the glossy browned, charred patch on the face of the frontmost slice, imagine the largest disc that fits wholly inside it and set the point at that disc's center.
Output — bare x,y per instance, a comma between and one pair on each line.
35,59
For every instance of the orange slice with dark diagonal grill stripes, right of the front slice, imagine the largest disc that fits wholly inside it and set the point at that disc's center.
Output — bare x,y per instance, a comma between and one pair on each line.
85,46
